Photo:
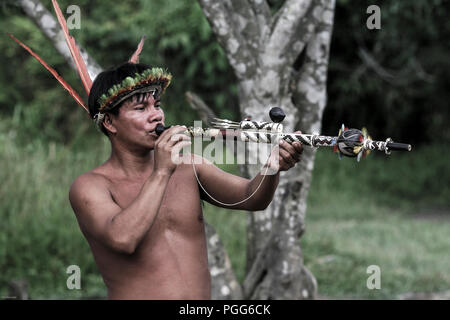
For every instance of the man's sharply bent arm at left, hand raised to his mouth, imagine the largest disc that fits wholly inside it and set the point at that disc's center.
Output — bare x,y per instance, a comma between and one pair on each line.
123,229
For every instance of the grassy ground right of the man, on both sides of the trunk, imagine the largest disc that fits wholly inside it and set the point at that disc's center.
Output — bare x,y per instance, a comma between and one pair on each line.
391,212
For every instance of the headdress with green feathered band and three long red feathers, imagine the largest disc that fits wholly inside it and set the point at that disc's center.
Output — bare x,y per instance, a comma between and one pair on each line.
151,80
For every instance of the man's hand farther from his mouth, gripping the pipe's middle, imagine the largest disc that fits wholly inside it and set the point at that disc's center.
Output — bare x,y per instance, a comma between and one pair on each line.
285,155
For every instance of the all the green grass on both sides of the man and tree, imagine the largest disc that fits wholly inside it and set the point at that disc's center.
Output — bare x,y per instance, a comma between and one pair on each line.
374,212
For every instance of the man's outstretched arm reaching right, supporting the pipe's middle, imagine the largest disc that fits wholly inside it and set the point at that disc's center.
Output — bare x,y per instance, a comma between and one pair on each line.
228,188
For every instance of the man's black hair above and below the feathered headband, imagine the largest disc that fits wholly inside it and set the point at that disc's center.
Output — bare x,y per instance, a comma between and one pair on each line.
108,78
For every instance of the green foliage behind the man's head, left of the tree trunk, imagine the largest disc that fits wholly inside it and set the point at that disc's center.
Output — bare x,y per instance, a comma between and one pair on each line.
178,38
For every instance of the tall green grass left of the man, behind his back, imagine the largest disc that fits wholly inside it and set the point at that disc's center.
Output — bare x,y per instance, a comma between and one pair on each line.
40,235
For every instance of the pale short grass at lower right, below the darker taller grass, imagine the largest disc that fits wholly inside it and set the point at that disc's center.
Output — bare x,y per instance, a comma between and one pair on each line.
412,254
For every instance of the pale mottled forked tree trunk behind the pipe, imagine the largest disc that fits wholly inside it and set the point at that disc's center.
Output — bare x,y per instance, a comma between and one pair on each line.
269,74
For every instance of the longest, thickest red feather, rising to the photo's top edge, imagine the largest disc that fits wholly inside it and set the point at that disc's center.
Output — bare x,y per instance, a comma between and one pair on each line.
76,55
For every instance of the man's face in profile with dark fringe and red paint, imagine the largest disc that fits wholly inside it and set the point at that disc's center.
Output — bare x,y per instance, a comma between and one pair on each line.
137,120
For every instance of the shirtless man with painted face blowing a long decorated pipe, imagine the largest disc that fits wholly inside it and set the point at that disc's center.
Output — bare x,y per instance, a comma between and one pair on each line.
141,213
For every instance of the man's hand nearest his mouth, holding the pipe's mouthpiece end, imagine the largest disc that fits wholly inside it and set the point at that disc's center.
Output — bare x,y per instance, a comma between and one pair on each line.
168,147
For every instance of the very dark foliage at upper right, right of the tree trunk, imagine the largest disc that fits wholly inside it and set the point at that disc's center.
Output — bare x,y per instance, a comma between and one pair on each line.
404,96
